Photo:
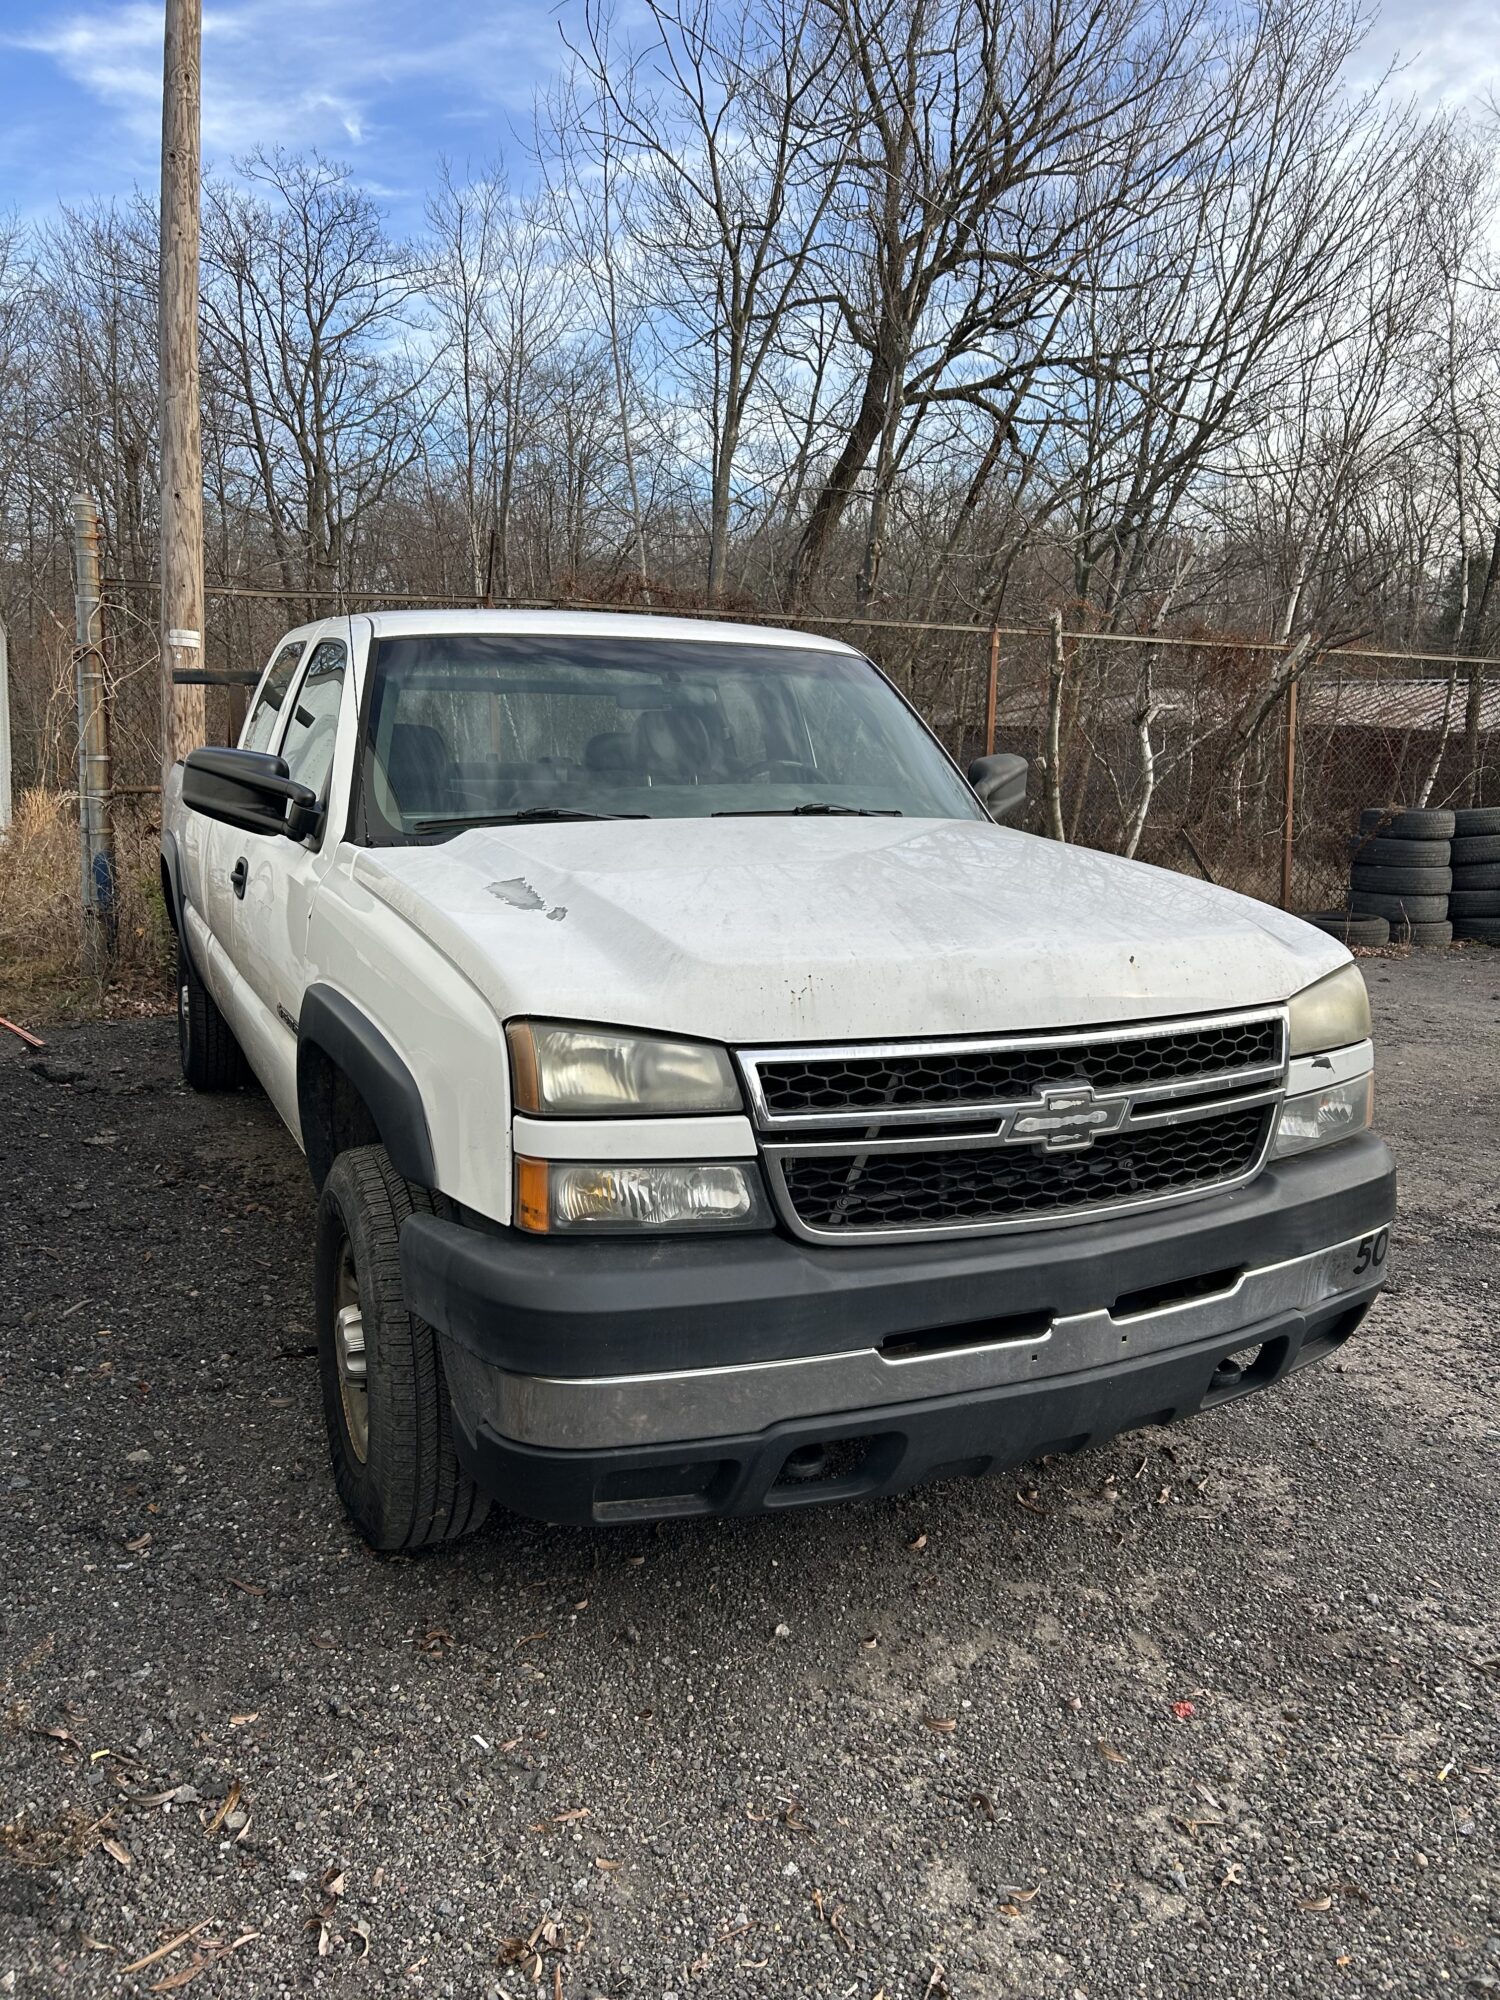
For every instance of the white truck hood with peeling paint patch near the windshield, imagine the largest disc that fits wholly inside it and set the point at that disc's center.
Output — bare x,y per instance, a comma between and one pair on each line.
805,929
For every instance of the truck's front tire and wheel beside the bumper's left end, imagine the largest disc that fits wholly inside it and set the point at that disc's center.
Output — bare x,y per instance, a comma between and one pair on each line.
385,1397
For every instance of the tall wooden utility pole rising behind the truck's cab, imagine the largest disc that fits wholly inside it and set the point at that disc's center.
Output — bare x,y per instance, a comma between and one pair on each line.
183,469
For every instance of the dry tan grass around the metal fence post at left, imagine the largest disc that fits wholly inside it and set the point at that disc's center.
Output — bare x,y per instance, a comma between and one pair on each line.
43,973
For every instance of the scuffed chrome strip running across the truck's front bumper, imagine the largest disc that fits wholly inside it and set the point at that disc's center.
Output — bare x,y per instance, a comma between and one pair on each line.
597,1413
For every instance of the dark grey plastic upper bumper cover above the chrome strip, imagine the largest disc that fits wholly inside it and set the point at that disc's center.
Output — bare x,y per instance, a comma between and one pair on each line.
597,1307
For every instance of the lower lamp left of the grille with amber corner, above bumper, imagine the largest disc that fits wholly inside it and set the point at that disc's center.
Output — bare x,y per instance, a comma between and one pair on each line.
697,1195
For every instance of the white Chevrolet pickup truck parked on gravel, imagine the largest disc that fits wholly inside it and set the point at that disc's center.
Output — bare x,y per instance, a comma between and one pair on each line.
713,1109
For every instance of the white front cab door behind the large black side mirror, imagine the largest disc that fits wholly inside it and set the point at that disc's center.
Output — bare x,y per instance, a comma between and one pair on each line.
277,879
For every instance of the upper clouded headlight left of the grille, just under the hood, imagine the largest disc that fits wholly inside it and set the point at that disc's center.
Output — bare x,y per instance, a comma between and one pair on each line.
599,1073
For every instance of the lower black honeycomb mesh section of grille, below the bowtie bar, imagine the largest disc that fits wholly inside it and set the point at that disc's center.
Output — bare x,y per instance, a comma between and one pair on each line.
951,1189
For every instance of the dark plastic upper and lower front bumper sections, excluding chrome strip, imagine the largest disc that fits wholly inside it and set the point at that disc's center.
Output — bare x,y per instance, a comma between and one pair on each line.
607,1309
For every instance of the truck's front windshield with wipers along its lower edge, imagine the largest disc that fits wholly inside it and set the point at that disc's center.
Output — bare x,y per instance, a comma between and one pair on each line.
497,727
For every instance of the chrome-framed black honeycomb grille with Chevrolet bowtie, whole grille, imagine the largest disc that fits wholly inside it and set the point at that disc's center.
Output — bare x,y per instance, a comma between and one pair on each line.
1015,1131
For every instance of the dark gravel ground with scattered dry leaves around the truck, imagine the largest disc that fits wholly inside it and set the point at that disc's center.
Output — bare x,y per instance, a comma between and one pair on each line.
1207,1713
